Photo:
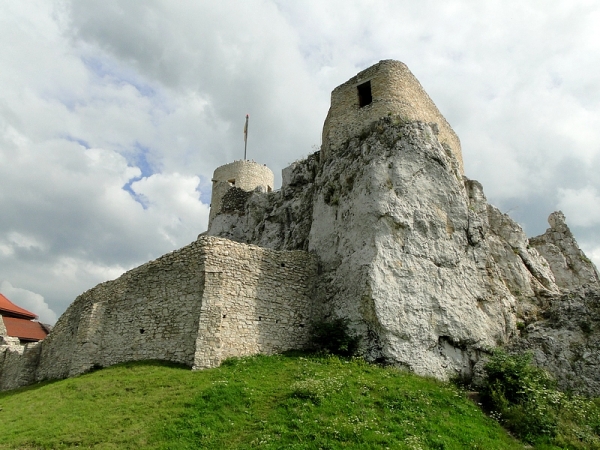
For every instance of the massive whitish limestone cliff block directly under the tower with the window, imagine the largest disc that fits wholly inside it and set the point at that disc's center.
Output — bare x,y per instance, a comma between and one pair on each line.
405,254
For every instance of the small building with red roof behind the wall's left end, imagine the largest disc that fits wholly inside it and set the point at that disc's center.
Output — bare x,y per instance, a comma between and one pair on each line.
18,323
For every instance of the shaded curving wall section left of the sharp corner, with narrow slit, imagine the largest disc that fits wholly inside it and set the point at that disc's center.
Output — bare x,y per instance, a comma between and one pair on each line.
150,312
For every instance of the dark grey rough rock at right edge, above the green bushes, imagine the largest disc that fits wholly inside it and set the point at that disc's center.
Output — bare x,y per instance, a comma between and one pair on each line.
566,340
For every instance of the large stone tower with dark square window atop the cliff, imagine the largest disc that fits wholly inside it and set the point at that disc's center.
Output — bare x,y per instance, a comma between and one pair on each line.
386,88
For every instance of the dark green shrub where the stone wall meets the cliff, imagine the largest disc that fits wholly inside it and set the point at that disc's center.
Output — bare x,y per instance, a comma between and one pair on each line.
334,336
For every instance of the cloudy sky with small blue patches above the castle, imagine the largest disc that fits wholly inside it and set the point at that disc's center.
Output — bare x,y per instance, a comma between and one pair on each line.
114,114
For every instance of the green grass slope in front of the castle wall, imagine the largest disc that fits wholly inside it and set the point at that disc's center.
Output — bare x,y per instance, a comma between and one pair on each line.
285,401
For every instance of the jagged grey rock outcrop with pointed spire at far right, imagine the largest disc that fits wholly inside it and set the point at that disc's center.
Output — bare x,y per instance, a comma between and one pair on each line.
569,264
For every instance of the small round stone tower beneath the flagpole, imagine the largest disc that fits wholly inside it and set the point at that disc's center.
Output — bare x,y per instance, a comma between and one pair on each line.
242,174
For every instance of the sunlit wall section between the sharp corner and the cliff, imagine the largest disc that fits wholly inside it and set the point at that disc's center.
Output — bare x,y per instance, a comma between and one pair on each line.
255,300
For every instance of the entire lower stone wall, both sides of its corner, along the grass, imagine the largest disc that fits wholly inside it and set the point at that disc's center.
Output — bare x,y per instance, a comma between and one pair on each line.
196,306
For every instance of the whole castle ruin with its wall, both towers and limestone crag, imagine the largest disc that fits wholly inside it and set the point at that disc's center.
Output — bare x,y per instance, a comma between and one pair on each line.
380,227
